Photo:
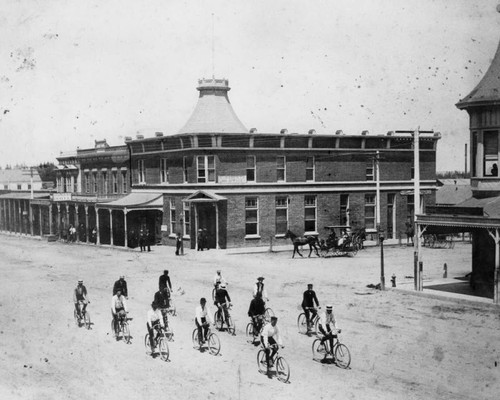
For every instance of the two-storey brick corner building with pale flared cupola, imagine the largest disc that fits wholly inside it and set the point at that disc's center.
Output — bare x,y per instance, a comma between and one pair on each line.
247,188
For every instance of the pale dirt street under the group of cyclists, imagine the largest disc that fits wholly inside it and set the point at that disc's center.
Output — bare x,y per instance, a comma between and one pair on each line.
403,346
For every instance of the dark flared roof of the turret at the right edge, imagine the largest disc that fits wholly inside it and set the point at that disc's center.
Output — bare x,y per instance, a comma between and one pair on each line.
487,92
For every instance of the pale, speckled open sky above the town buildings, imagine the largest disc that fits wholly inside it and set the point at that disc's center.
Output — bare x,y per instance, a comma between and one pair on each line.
72,72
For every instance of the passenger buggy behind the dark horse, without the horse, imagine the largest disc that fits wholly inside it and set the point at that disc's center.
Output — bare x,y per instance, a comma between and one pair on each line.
344,244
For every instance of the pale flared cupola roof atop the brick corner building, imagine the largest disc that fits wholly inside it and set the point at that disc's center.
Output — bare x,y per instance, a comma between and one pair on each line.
213,112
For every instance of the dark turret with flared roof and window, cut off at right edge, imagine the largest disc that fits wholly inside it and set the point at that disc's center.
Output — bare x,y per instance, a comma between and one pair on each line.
483,106
